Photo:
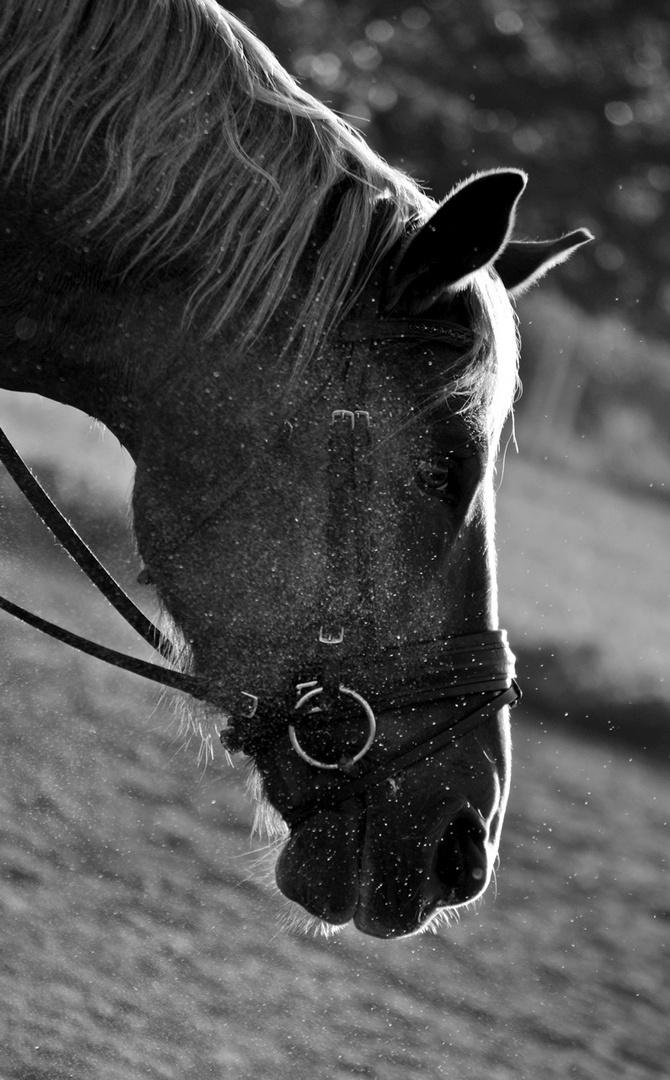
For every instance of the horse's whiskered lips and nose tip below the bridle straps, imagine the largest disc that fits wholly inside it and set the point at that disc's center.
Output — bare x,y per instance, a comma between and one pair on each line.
349,865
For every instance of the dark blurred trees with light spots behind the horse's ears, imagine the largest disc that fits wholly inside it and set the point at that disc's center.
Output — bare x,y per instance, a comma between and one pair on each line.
578,92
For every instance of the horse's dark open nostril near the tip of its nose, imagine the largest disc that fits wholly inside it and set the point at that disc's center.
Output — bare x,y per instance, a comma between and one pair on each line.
461,863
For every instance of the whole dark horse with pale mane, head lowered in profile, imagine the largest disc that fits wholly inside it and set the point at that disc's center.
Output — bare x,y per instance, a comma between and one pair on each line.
311,362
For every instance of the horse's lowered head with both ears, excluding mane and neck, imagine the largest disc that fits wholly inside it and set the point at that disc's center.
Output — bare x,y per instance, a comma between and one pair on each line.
339,537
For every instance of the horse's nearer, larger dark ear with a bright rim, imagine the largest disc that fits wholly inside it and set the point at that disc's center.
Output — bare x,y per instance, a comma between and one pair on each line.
466,234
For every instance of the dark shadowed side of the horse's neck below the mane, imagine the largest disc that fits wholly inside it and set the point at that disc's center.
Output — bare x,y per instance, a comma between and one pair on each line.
72,333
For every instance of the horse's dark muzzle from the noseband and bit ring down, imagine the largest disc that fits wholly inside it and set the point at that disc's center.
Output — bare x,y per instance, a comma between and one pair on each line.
388,839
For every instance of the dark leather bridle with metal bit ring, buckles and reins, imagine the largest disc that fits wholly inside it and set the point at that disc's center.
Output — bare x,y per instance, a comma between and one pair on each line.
479,667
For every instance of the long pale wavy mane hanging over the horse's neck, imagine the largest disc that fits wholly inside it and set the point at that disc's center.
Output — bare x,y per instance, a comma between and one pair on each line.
212,156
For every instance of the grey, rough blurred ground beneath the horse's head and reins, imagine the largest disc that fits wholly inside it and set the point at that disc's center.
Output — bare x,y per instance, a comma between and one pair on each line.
141,936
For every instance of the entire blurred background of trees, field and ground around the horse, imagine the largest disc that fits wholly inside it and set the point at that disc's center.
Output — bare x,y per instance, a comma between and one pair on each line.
140,936
